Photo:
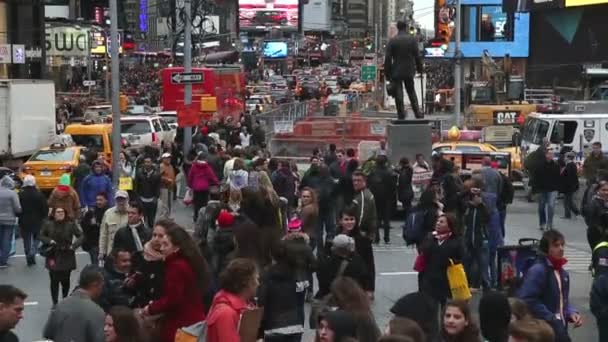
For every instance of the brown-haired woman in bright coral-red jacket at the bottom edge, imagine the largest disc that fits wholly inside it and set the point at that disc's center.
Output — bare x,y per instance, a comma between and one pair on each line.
239,283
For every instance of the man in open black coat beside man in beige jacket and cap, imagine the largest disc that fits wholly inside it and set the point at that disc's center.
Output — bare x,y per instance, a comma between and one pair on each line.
134,236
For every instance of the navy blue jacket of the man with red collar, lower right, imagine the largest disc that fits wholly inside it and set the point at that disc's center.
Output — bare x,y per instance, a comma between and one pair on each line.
540,291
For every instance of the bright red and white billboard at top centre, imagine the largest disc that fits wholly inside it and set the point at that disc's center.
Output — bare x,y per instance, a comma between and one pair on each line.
263,15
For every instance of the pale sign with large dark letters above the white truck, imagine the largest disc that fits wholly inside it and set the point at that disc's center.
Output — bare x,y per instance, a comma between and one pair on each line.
67,41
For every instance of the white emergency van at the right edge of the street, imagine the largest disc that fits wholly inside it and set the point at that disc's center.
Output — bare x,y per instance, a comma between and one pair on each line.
581,124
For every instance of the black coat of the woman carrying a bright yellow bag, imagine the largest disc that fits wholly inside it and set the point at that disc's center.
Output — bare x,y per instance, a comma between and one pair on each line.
435,279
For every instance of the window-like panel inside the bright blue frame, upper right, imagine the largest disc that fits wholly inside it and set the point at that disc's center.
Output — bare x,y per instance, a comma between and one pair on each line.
487,23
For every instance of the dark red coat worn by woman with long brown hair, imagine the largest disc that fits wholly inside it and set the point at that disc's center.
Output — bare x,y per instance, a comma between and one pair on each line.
181,301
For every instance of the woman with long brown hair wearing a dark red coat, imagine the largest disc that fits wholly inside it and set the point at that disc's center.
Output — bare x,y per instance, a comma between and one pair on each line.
186,280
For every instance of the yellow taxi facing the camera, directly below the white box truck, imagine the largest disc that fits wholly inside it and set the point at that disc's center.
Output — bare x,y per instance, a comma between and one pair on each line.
49,163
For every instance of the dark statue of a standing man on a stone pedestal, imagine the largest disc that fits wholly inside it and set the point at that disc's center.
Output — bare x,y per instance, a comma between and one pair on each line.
401,62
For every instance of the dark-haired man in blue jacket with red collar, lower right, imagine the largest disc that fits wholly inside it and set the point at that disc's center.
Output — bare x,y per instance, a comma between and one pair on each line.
546,287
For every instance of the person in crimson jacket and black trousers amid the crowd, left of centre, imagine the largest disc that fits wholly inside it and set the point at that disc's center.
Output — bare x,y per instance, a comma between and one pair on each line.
200,178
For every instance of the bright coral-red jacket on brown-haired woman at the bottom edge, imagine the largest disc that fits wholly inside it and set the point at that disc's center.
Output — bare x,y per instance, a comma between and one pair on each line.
224,316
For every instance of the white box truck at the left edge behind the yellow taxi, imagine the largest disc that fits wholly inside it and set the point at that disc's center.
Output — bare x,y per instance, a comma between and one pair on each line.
27,118
